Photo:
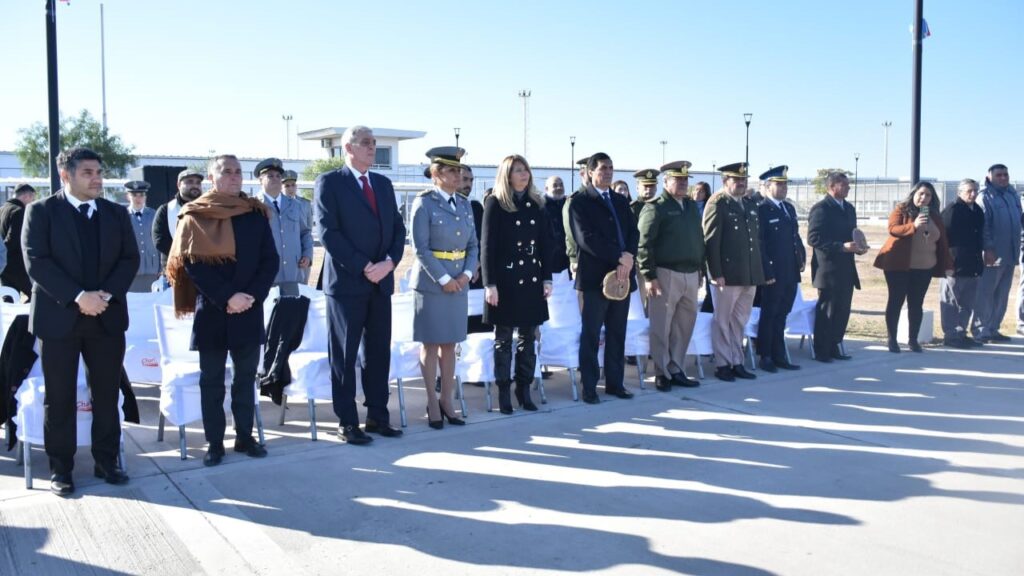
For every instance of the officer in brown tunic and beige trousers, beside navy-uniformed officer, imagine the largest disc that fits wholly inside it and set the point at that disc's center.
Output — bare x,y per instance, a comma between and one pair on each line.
734,249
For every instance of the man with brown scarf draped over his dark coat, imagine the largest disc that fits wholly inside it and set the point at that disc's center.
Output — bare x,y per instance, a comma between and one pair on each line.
223,264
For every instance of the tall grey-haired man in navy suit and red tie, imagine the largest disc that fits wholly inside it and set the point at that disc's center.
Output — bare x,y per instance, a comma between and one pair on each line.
365,238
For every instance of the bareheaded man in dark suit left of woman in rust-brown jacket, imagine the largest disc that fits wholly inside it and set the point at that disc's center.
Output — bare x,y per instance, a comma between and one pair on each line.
830,233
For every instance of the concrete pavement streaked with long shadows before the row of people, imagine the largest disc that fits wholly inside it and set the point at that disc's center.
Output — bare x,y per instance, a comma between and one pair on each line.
884,465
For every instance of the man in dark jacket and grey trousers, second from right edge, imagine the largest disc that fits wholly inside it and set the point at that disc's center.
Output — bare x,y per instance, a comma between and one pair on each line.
964,221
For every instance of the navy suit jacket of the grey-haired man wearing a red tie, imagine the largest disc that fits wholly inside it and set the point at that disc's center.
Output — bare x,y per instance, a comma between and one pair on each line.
353,235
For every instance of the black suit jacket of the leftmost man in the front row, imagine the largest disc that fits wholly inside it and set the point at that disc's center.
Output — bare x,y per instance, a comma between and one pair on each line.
54,261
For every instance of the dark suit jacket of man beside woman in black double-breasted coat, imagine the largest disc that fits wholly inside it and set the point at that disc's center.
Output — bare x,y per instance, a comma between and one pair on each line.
593,229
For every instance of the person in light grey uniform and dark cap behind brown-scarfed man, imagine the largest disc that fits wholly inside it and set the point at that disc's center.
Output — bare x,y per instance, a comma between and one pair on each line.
290,226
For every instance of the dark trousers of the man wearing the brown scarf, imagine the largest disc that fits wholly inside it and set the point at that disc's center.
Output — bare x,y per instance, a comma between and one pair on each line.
211,387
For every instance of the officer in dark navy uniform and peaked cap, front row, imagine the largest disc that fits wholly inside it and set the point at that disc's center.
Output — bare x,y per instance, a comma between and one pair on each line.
783,257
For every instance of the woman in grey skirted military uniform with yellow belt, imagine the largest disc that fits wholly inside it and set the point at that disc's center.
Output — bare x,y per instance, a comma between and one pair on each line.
445,239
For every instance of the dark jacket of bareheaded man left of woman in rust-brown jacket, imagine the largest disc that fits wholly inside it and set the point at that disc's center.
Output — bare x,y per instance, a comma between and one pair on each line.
829,228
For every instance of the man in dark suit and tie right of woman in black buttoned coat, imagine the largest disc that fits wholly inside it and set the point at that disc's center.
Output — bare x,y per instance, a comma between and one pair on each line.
607,237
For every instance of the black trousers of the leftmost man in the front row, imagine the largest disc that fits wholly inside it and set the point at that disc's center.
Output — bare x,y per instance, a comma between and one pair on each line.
104,356
